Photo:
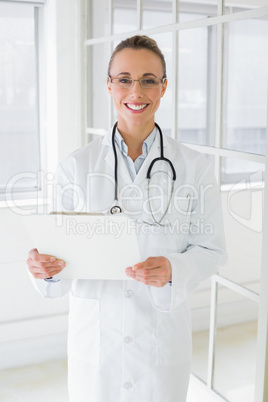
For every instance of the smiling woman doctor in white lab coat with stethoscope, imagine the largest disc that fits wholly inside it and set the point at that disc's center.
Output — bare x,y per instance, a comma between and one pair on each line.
130,340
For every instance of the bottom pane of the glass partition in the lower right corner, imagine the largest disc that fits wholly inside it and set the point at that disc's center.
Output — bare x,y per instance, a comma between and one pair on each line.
236,341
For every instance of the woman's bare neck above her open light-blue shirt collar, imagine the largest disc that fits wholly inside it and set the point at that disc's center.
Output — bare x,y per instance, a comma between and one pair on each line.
134,137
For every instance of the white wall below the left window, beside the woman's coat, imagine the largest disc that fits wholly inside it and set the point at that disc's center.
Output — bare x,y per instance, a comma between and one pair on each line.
31,328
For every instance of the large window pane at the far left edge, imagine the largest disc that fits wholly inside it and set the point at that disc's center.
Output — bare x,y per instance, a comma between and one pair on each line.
19,128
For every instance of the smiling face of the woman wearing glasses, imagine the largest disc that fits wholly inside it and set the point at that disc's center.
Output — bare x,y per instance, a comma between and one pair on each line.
136,106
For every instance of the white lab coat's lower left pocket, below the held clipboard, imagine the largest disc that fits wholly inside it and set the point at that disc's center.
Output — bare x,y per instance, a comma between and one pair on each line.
84,330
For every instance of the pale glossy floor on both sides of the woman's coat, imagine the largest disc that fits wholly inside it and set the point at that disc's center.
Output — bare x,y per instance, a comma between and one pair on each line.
234,372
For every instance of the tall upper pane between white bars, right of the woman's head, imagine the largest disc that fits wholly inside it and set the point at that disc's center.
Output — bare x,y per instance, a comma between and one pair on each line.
196,81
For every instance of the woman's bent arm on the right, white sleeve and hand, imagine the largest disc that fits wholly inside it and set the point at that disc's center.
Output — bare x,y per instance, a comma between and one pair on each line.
204,253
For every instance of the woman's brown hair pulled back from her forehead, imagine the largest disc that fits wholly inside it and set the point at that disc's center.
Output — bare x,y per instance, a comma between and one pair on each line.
139,42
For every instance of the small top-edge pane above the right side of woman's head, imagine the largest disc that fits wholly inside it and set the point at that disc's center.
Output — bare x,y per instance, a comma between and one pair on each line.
157,13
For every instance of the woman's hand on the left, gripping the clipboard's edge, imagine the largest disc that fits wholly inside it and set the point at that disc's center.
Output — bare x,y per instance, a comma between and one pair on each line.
43,266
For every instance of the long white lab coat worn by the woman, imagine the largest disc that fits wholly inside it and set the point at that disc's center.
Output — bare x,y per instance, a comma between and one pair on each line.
129,342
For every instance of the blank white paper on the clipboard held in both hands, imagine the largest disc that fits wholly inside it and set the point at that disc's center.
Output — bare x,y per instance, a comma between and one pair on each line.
93,246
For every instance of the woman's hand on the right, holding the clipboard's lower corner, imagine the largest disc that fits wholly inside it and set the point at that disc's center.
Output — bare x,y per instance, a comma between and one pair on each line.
155,271
